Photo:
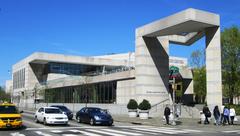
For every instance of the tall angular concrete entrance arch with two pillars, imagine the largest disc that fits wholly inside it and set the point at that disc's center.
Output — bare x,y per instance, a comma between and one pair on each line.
152,53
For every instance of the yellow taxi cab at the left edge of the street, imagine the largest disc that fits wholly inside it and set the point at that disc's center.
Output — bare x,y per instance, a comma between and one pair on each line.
9,116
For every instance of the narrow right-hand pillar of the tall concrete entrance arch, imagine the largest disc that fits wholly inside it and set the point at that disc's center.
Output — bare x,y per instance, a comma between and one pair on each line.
213,67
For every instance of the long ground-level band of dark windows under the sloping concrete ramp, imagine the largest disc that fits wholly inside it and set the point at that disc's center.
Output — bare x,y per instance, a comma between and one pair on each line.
104,92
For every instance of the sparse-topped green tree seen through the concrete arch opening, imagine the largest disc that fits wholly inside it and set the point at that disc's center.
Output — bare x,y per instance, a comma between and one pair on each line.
197,61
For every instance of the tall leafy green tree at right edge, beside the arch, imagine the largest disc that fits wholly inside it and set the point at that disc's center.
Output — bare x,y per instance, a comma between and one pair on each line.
230,41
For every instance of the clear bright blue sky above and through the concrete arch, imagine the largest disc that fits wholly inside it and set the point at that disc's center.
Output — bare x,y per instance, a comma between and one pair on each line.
90,27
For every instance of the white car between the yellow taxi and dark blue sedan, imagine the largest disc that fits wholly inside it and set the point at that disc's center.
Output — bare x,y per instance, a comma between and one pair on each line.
50,115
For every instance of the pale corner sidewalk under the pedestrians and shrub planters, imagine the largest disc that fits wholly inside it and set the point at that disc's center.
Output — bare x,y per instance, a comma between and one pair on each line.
185,123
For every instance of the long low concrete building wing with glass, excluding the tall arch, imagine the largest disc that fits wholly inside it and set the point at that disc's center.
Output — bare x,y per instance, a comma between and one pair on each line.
99,79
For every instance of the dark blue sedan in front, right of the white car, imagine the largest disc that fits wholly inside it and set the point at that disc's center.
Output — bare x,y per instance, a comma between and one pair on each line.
94,116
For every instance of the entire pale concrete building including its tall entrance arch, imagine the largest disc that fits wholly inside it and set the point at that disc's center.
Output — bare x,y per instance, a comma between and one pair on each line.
117,78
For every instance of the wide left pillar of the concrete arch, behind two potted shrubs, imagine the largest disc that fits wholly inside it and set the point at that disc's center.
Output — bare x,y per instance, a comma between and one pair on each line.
152,68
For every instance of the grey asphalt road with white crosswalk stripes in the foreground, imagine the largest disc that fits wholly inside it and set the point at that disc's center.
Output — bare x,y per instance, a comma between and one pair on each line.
119,129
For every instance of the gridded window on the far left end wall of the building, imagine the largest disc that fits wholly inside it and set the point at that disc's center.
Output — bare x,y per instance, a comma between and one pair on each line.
19,79
